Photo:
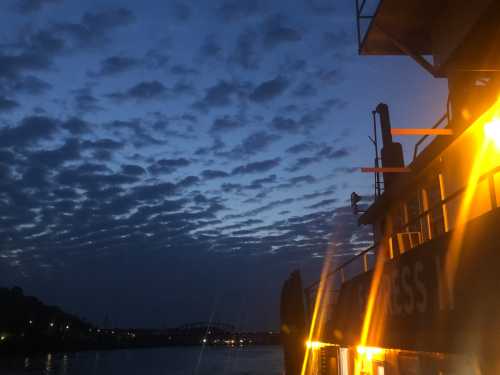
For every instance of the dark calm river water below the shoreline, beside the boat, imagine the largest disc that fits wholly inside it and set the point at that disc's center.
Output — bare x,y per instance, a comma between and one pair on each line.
164,361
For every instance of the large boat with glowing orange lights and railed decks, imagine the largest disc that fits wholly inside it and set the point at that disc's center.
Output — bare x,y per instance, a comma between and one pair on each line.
425,298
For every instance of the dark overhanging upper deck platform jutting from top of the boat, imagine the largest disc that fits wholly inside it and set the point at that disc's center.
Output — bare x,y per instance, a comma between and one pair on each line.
458,34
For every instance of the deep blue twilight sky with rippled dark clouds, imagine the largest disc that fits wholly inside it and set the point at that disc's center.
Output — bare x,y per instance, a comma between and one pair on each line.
167,161
